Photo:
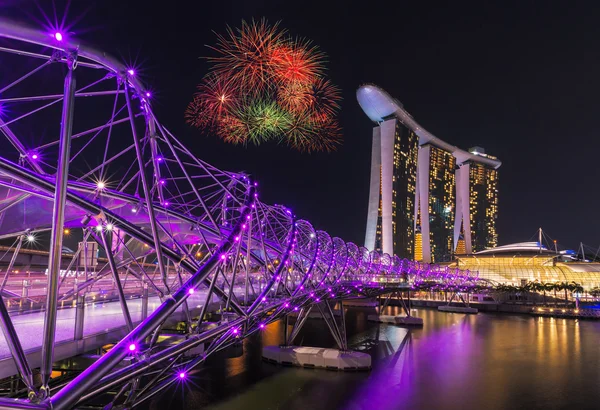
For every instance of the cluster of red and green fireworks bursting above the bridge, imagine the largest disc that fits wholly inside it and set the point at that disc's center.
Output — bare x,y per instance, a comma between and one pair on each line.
265,85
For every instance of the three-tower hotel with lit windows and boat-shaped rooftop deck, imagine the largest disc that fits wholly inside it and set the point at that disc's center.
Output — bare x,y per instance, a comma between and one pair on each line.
428,199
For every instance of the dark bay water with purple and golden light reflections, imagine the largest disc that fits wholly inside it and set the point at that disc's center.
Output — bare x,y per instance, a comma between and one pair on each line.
456,361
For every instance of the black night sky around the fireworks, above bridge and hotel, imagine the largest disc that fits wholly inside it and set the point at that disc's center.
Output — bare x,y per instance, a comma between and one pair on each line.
519,79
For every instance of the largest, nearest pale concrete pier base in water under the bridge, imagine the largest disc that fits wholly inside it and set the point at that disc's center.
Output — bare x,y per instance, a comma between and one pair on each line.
317,358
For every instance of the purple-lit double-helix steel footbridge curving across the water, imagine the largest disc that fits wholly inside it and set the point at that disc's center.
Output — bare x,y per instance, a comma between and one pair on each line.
83,150
